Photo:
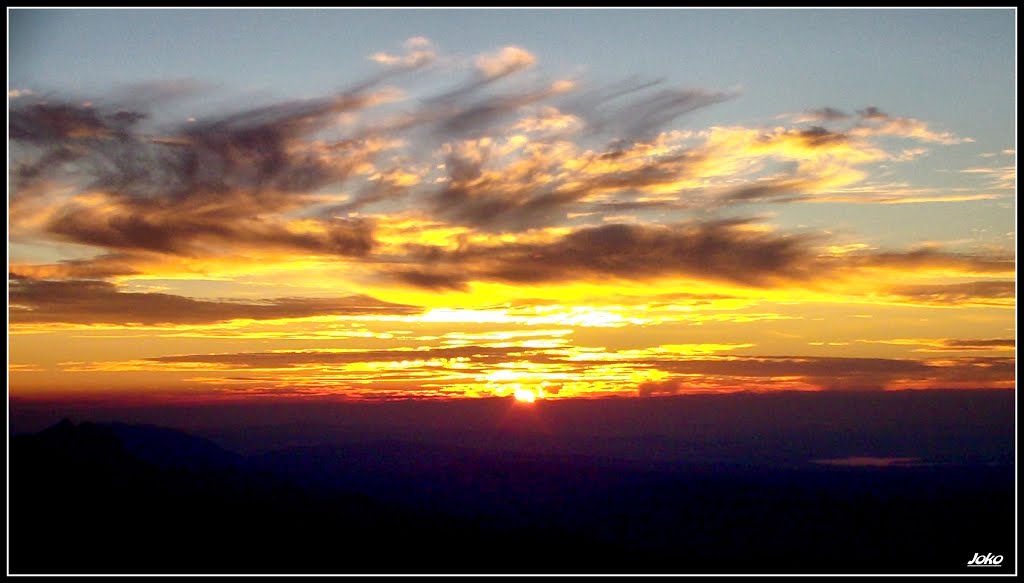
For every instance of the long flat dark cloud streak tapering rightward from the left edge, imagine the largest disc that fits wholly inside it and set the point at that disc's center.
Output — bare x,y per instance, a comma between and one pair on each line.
90,302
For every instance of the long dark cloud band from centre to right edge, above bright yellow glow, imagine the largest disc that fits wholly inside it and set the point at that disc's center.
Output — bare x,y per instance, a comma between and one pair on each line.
736,252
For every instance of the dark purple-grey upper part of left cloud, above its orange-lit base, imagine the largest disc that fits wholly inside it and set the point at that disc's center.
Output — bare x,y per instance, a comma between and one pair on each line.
250,150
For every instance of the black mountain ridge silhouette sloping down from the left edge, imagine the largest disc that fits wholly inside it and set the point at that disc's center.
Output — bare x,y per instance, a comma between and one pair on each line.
82,504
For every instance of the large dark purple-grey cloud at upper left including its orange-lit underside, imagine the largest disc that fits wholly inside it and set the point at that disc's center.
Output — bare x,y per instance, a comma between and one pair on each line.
224,181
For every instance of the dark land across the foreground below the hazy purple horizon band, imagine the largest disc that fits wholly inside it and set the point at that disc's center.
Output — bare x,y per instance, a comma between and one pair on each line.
119,498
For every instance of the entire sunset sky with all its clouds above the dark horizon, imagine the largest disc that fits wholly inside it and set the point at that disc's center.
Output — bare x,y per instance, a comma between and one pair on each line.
367,204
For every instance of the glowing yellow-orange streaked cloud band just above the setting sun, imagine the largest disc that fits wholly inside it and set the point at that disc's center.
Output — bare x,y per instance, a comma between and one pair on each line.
493,369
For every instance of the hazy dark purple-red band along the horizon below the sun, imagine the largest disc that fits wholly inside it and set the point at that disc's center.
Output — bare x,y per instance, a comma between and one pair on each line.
769,429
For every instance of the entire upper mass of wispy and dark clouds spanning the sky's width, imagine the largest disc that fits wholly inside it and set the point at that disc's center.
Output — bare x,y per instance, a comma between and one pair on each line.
296,178
